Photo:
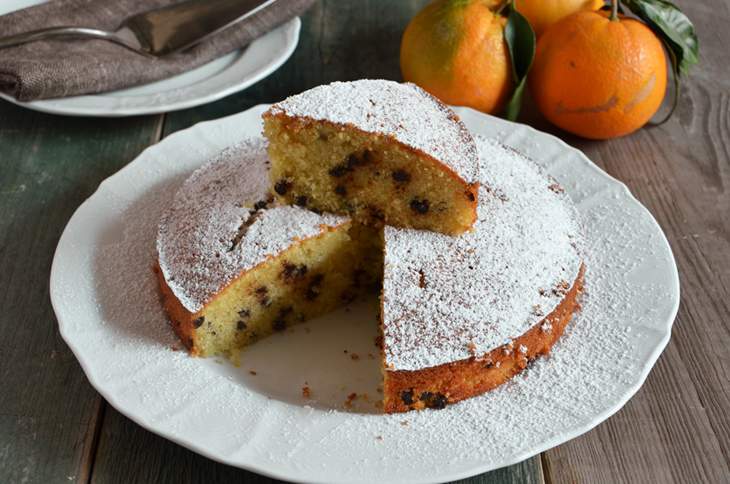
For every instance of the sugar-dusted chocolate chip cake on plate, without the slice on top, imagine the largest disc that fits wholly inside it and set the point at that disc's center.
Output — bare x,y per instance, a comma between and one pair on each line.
460,315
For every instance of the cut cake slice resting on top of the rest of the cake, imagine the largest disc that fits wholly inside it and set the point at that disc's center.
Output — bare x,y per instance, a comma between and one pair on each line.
378,150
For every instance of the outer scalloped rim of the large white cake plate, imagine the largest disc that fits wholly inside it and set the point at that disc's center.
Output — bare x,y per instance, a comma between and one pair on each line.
628,393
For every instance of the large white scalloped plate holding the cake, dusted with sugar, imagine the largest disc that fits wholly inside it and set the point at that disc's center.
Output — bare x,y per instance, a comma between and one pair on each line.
106,300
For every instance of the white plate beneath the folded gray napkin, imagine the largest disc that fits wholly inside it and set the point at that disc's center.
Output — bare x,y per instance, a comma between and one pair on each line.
221,77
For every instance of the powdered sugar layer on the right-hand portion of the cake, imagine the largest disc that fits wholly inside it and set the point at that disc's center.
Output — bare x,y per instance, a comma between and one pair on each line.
447,297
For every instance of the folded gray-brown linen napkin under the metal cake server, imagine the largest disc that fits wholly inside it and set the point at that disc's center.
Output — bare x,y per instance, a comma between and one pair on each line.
59,68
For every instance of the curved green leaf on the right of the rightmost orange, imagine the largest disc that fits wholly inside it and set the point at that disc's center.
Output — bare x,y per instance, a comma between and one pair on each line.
673,27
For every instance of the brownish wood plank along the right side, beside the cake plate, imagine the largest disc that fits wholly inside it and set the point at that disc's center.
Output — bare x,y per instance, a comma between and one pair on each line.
676,429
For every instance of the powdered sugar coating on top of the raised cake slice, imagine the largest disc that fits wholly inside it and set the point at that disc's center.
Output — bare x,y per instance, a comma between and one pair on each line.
402,110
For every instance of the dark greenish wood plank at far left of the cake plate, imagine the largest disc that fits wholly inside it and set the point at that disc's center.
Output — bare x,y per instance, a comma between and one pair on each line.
49,414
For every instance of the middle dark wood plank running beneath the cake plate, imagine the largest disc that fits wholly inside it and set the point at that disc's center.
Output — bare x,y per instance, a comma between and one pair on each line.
337,43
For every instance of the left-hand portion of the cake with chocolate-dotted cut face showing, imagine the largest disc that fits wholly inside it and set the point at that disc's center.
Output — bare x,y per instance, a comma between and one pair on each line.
234,267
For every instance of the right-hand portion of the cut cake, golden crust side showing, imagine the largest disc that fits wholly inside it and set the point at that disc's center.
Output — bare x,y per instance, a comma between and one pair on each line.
462,315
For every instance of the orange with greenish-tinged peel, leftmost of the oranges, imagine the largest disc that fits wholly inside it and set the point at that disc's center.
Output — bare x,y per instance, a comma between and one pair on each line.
455,50
